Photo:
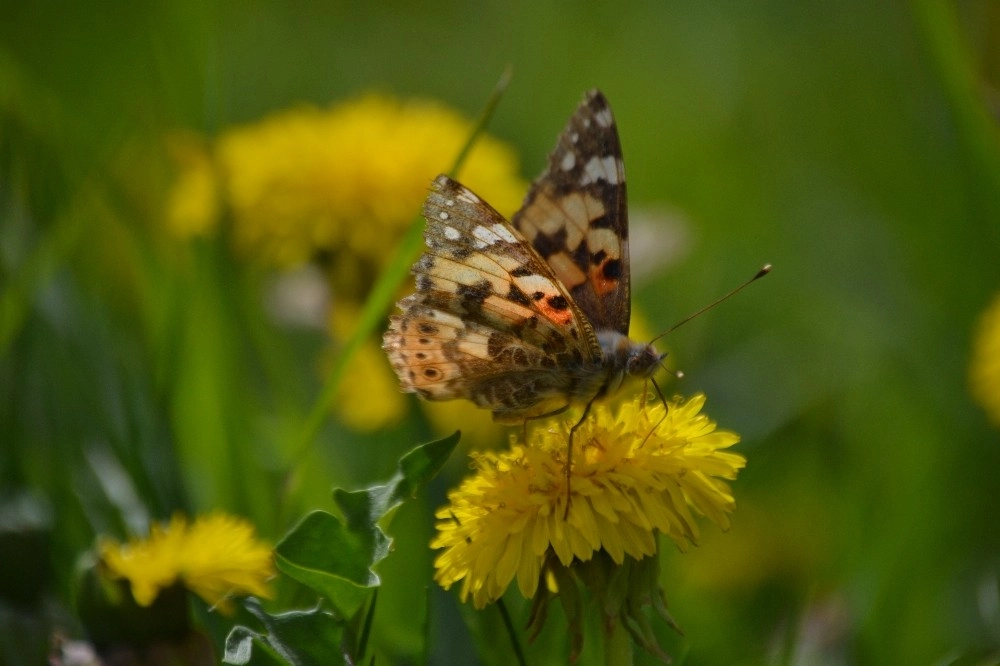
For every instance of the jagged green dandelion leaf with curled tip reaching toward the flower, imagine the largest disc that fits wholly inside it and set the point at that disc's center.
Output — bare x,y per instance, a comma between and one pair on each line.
335,557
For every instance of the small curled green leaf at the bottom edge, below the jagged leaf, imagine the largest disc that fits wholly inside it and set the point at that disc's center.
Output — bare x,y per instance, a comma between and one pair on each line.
296,638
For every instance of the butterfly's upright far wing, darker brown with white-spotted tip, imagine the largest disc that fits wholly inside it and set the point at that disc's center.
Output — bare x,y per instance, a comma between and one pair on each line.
575,215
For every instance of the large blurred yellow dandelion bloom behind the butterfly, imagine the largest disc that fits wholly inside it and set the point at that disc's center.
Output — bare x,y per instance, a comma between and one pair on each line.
349,179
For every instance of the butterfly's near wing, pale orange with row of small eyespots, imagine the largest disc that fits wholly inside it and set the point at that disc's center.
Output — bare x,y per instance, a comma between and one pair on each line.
489,321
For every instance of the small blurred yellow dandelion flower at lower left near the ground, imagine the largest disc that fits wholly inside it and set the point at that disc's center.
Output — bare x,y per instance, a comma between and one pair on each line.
215,557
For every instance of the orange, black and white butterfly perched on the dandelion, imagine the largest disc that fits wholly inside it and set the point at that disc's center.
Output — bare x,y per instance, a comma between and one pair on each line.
527,317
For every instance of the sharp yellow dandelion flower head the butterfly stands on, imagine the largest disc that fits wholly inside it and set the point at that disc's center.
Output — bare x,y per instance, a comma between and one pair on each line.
629,483
